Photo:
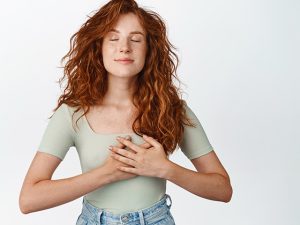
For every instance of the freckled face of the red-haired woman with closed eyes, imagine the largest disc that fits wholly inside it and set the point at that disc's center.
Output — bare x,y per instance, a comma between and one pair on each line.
124,47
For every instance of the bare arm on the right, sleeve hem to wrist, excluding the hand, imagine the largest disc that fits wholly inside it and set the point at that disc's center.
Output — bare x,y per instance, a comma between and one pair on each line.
211,180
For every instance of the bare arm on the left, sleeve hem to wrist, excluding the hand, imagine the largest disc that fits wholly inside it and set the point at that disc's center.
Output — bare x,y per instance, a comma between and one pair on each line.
39,192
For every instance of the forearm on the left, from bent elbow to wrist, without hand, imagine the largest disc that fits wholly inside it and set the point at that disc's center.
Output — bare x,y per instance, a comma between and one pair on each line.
50,193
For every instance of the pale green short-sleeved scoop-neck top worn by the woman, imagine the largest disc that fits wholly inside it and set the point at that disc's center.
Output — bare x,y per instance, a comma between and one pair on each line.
92,148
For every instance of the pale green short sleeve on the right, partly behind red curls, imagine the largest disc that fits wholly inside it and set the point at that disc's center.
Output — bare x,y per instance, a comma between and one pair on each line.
195,142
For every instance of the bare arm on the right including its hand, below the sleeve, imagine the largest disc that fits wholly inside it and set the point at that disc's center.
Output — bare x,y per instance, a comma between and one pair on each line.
211,180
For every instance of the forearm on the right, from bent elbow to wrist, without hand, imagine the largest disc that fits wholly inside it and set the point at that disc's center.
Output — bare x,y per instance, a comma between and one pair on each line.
207,185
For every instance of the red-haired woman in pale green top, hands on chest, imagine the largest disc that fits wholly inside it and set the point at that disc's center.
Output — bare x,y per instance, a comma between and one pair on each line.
119,90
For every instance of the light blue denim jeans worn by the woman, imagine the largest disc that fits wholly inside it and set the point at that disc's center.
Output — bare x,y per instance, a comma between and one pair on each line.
157,214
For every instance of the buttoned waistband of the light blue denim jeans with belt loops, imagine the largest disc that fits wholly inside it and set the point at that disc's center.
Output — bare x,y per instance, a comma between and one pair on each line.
159,208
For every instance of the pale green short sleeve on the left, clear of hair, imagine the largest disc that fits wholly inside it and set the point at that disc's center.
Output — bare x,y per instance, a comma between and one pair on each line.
58,136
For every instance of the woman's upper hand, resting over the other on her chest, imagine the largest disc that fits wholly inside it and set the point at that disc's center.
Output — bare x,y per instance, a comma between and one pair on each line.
144,162
